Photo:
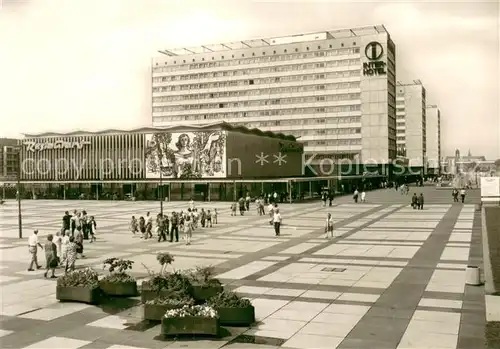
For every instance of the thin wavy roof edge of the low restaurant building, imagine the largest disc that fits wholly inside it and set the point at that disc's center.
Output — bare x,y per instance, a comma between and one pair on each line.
221,125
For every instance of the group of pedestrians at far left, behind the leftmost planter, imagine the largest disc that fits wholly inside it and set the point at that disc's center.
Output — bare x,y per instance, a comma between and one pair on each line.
63,248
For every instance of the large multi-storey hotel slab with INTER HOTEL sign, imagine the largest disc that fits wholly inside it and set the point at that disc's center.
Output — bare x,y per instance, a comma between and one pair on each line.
333,90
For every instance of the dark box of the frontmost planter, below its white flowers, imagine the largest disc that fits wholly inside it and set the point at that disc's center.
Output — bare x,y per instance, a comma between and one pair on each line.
189,325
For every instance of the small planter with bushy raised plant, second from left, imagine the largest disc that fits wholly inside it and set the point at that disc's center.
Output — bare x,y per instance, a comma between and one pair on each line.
118,282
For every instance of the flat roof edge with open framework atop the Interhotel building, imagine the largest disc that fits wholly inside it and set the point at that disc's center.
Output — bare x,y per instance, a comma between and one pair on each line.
271,41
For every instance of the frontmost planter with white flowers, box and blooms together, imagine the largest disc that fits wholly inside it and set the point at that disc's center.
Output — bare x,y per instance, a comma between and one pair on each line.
190,320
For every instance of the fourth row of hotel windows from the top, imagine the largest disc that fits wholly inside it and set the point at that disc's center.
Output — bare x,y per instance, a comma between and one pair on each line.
257,92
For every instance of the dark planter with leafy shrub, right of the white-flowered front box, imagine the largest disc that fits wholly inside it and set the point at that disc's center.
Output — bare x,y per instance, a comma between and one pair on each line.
232,309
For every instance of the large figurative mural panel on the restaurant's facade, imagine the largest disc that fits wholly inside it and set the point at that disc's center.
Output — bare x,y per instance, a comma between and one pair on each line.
186,155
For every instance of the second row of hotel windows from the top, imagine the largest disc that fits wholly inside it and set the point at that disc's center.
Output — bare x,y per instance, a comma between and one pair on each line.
261,70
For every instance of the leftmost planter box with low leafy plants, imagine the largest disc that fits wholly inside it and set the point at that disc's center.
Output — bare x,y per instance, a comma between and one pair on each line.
79,286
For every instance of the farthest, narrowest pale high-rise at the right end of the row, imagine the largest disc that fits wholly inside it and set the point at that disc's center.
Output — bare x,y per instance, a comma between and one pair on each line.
433,138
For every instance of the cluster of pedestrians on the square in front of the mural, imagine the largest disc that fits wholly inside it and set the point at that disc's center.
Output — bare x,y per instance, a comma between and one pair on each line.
169,225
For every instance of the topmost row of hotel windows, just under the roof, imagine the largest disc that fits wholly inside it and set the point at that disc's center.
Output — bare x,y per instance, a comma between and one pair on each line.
275,58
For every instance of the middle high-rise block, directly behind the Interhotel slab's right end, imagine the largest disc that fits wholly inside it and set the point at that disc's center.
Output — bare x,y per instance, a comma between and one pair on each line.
411,124
